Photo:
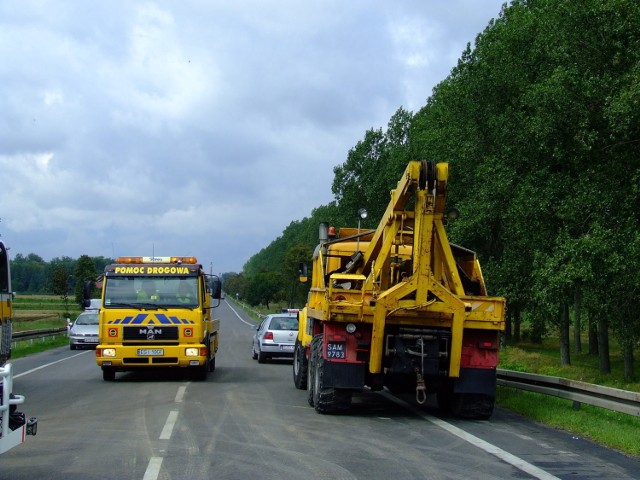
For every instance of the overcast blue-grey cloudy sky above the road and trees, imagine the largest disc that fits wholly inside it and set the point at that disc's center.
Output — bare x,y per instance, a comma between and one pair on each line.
200,127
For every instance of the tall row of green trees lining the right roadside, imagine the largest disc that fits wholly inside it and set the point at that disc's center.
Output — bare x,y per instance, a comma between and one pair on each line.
540,124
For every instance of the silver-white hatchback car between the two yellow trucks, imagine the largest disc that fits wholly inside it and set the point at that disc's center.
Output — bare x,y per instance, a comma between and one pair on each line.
275,337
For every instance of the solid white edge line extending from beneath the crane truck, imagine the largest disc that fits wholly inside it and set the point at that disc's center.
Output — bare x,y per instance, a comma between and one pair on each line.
503,455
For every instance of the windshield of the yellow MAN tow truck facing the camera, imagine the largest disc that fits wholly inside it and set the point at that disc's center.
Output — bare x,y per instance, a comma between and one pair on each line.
179,292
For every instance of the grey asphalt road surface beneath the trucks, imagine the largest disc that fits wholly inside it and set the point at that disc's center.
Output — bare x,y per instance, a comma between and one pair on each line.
248,421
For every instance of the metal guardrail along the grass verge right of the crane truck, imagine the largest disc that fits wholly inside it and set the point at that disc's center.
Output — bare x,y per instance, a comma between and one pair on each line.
579,392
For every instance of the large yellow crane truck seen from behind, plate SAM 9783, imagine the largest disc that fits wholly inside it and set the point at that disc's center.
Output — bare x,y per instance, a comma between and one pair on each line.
400,307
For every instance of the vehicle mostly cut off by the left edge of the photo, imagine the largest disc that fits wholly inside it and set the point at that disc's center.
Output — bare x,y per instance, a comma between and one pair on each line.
14,425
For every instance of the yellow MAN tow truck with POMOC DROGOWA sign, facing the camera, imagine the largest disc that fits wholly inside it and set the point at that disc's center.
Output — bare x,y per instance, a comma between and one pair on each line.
156,312
